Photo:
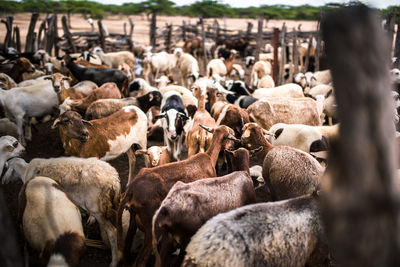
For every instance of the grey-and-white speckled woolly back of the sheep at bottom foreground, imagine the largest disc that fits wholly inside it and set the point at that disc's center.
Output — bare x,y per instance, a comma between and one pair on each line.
284,233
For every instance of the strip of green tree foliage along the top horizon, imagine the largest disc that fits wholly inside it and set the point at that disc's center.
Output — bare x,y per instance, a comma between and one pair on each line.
204,8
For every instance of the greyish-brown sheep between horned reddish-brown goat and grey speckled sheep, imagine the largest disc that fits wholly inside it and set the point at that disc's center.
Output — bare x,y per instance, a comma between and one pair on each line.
189,205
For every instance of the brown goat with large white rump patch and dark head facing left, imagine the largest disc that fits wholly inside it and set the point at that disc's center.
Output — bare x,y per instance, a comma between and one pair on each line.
105,138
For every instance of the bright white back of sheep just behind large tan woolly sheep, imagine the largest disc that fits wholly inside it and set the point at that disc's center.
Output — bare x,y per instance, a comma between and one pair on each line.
286,90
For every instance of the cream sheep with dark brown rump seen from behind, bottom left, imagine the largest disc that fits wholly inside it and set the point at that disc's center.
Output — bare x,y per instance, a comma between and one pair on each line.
58,235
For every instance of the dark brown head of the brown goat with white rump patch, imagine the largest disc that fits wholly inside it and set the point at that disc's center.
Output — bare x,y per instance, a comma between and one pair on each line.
72,124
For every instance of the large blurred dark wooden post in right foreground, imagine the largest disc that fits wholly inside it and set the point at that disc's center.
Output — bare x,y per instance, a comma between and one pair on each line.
360,196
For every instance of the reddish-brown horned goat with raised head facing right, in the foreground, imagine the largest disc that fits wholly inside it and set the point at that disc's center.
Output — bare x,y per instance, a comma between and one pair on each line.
145,193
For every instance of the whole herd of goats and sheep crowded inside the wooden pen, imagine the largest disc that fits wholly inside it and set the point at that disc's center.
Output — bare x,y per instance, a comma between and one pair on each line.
183,210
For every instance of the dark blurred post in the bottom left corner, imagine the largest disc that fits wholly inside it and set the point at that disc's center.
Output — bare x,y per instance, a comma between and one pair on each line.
10,254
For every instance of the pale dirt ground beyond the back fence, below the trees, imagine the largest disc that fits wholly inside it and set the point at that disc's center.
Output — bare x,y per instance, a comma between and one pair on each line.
115,24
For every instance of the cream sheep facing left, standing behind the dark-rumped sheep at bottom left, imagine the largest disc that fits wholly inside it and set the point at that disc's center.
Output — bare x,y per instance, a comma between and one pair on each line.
93,185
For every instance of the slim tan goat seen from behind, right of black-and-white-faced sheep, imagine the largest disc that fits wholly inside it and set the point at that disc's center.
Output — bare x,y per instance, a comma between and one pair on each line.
198,139
